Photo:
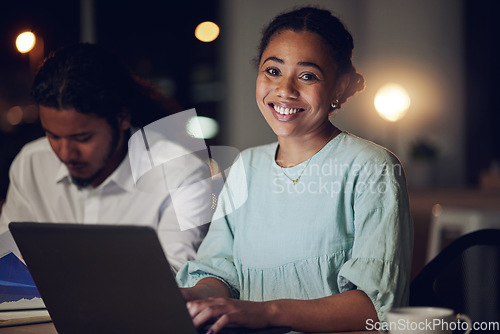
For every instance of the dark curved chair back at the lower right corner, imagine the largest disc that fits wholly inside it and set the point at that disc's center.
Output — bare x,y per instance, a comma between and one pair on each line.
464,276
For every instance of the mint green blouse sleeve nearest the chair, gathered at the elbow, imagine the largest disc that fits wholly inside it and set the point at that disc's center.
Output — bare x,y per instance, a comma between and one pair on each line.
383,236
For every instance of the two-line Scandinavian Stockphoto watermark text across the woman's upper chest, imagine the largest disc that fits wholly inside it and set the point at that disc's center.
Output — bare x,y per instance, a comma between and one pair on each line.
333,177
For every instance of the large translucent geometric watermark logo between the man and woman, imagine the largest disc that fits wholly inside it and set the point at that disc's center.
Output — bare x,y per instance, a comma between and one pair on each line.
170,158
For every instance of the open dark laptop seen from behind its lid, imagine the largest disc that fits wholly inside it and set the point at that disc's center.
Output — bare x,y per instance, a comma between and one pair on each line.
106,279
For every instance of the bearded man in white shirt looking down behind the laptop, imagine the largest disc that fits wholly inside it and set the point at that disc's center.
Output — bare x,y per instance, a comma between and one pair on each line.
80,172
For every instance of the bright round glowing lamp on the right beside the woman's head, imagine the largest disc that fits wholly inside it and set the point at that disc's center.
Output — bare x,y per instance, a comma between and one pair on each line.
392,102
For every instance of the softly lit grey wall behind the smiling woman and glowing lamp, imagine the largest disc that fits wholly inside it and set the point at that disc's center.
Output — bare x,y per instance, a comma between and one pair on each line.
418,44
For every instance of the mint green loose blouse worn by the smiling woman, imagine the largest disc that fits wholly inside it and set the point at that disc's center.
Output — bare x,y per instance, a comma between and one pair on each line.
345,225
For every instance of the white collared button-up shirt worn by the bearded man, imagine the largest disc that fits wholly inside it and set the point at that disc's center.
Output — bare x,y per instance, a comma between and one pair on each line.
41,190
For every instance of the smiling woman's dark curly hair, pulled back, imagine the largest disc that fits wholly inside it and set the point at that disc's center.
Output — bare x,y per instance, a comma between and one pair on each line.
333,31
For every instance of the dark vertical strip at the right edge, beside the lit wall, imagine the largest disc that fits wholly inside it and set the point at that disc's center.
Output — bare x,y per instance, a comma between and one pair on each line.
483,71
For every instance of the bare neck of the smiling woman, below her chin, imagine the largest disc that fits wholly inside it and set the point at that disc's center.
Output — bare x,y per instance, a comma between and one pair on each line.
293,151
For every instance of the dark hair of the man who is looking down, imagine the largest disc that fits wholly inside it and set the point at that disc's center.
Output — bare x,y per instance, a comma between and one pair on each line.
93,81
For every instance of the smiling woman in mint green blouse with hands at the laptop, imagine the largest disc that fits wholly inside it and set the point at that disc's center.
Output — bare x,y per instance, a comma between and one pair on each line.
323,242
